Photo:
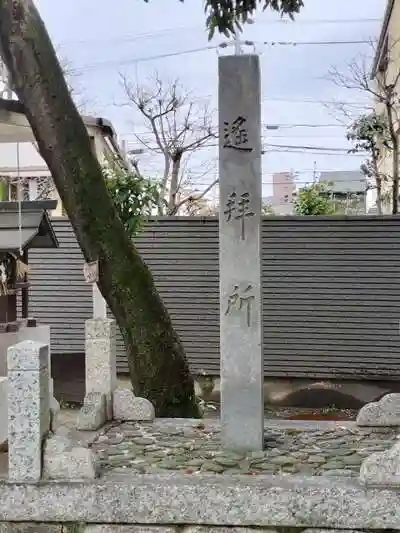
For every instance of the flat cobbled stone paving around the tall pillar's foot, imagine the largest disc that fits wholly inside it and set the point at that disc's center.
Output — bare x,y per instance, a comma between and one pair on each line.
192,447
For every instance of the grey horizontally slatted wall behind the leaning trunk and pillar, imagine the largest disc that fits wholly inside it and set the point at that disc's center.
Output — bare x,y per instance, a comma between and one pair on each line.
331,293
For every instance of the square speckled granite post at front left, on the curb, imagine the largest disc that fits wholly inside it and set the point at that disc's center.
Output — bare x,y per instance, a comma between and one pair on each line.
28,409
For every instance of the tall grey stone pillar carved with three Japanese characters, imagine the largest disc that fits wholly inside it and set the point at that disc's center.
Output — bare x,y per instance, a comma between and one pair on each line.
242,375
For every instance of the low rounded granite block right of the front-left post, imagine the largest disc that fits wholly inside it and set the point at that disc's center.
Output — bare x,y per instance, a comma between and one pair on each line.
66,457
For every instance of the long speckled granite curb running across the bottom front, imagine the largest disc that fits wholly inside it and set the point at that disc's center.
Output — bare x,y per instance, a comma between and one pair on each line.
178,499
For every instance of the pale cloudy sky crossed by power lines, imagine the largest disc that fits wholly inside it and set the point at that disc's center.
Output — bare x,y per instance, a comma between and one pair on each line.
138,39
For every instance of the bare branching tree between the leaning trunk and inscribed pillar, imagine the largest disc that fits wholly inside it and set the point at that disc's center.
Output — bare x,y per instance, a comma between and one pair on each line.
178,128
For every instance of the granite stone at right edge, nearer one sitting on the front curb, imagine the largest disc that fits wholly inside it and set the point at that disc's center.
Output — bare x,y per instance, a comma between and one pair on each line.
382,468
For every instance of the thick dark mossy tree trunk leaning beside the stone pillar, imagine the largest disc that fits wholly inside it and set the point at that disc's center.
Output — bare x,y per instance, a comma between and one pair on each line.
157,362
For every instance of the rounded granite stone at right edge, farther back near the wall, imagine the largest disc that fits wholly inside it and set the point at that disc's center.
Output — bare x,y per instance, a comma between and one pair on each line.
386,412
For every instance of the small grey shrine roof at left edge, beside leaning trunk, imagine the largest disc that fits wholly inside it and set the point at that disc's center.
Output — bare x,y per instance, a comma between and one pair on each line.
36,228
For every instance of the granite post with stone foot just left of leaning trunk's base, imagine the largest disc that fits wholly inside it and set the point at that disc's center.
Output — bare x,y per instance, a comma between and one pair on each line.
101,373
